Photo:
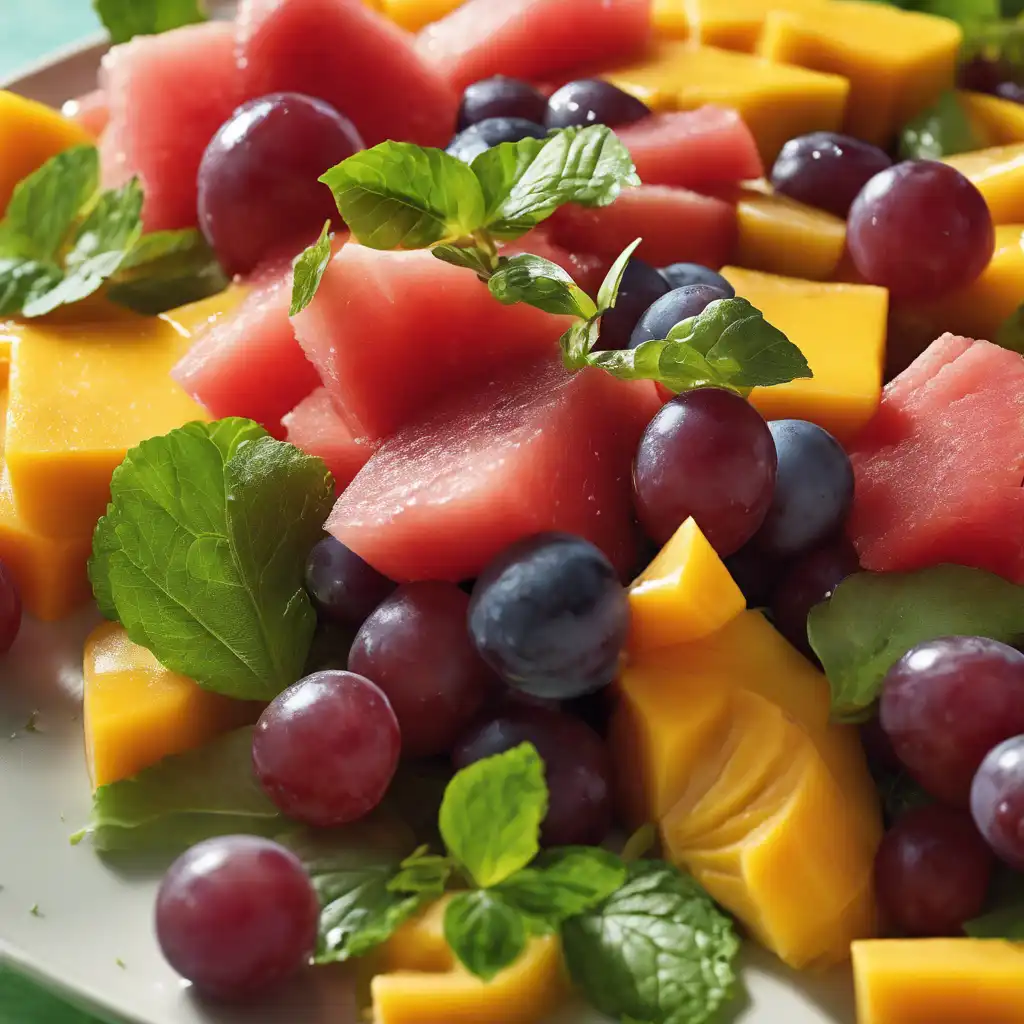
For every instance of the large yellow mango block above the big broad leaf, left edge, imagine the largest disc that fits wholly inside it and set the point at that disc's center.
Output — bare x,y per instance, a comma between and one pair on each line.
80,397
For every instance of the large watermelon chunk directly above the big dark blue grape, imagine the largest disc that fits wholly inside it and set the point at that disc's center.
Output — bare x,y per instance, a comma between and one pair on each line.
536,449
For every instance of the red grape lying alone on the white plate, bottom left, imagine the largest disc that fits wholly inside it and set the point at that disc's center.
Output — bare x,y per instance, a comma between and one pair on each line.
237,916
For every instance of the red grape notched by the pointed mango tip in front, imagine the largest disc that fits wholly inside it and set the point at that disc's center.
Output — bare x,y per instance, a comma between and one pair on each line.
710,455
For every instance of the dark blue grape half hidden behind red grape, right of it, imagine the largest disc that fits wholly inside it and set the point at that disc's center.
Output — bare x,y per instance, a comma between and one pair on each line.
814,490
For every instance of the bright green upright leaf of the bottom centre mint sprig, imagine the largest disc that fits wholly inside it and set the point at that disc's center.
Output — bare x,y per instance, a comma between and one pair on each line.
492,813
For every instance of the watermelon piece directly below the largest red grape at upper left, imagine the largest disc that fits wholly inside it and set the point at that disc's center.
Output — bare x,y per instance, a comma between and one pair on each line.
248,362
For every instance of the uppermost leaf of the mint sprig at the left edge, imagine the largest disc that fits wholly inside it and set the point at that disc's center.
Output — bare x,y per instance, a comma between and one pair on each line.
46,205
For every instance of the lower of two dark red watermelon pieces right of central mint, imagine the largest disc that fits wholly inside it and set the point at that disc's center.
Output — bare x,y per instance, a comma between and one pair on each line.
676,227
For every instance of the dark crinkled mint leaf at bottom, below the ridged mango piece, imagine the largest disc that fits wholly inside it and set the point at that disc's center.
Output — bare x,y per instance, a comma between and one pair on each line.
658,951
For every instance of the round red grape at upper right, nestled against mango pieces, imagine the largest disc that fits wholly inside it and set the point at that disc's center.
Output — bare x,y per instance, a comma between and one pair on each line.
921,230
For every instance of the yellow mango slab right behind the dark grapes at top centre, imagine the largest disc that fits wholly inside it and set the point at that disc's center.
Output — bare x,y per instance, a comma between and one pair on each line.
777,101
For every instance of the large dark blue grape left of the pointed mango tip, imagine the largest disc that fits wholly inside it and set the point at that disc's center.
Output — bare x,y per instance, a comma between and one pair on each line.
550,617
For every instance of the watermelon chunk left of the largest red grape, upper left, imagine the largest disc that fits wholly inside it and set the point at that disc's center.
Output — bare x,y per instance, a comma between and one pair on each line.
168,96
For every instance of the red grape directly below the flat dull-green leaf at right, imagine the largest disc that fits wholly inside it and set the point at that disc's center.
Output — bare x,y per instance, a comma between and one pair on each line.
947,704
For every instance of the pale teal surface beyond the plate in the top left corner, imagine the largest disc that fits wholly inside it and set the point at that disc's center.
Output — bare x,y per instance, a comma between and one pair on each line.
31,29
